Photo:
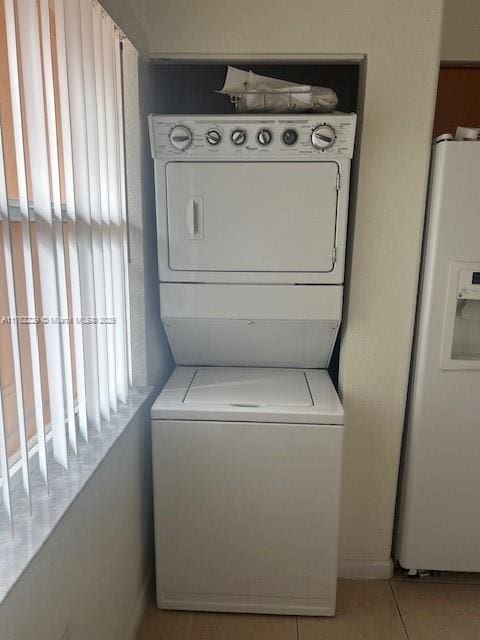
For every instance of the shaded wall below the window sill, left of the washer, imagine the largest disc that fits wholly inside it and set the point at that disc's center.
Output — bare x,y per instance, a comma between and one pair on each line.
88,581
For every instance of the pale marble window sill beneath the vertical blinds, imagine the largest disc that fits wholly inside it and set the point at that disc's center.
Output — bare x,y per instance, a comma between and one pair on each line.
31,531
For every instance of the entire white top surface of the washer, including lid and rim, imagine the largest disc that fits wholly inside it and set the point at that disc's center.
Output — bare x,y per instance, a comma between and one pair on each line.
247,394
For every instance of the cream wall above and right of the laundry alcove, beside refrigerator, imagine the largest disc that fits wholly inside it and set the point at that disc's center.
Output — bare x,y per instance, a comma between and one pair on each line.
399,92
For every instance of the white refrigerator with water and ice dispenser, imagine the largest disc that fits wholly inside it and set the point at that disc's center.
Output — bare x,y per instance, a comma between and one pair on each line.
439,508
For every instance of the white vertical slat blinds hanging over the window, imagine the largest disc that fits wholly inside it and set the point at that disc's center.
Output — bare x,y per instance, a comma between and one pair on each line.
65,349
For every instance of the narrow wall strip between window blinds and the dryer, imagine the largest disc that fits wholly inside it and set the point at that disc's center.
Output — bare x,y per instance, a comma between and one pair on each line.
152,359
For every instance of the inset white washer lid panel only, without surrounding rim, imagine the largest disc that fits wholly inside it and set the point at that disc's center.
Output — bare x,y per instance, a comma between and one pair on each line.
249,387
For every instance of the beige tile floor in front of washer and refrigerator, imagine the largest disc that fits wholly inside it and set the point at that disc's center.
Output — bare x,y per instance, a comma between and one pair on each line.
432,608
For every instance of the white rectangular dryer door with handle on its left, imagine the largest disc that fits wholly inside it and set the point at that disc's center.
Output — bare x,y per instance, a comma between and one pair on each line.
252,216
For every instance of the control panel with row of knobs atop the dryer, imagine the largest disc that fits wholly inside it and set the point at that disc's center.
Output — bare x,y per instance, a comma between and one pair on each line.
253,135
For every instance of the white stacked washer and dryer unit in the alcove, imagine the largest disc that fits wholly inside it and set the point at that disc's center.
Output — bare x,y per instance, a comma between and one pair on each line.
247,433
